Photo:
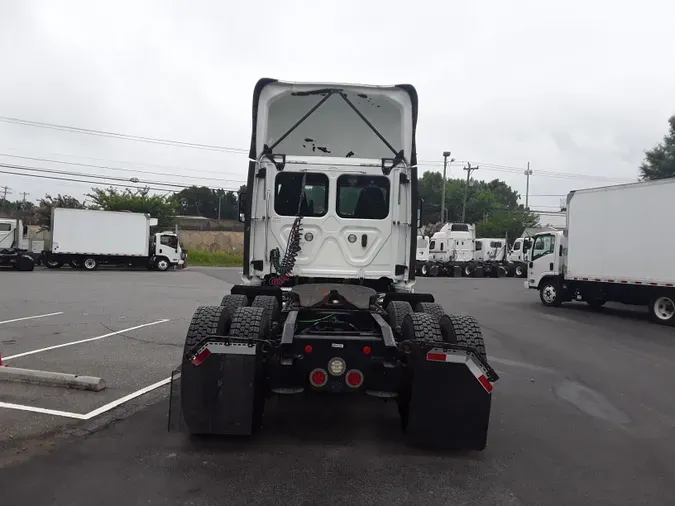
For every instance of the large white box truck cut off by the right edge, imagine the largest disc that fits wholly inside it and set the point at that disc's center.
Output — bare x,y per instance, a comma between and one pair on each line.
600,256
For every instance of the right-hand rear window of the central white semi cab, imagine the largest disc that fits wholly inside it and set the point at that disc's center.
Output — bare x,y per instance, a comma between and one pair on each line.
363,197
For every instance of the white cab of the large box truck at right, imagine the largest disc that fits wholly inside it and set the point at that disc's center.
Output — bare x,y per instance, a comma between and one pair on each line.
546,264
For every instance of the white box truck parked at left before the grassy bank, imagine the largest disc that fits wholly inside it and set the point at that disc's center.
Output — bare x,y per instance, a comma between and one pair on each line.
87,238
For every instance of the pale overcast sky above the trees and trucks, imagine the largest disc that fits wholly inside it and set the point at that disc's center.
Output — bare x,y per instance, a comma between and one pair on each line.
574,87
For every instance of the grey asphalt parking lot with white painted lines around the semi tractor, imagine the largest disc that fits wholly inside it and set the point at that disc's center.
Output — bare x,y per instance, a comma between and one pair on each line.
583,412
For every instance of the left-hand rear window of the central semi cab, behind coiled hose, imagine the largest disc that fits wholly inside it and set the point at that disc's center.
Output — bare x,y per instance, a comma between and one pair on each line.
288,189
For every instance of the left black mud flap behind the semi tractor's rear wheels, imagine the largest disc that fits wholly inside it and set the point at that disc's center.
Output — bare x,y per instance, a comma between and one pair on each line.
219,396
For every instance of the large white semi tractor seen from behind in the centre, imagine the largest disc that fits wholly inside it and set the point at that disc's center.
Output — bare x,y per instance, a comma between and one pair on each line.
326,306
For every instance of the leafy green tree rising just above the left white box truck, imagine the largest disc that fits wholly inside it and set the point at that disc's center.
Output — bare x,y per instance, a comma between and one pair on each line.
162,207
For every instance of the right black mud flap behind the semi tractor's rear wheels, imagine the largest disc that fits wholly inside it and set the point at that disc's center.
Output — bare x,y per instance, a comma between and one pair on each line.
450,400
